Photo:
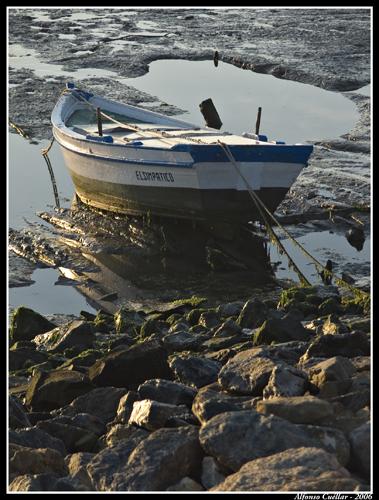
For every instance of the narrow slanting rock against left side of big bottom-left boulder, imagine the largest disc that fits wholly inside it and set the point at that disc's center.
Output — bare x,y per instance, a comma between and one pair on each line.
105,464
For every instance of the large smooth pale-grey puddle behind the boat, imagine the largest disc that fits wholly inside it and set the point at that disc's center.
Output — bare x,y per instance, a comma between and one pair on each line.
291,111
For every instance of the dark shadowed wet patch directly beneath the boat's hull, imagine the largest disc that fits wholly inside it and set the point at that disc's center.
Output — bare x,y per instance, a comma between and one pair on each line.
175,261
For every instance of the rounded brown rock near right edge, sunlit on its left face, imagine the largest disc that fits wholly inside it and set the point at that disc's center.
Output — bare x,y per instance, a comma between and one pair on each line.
332,376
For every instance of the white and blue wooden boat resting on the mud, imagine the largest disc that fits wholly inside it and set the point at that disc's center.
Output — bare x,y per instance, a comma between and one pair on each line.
136,161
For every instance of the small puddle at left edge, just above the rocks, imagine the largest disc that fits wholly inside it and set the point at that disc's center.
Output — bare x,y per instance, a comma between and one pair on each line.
47,298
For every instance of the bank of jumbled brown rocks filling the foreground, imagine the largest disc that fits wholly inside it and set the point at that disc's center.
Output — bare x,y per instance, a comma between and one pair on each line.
271,394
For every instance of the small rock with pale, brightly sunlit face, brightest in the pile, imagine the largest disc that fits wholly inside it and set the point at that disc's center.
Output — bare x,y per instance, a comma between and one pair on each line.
153,415
